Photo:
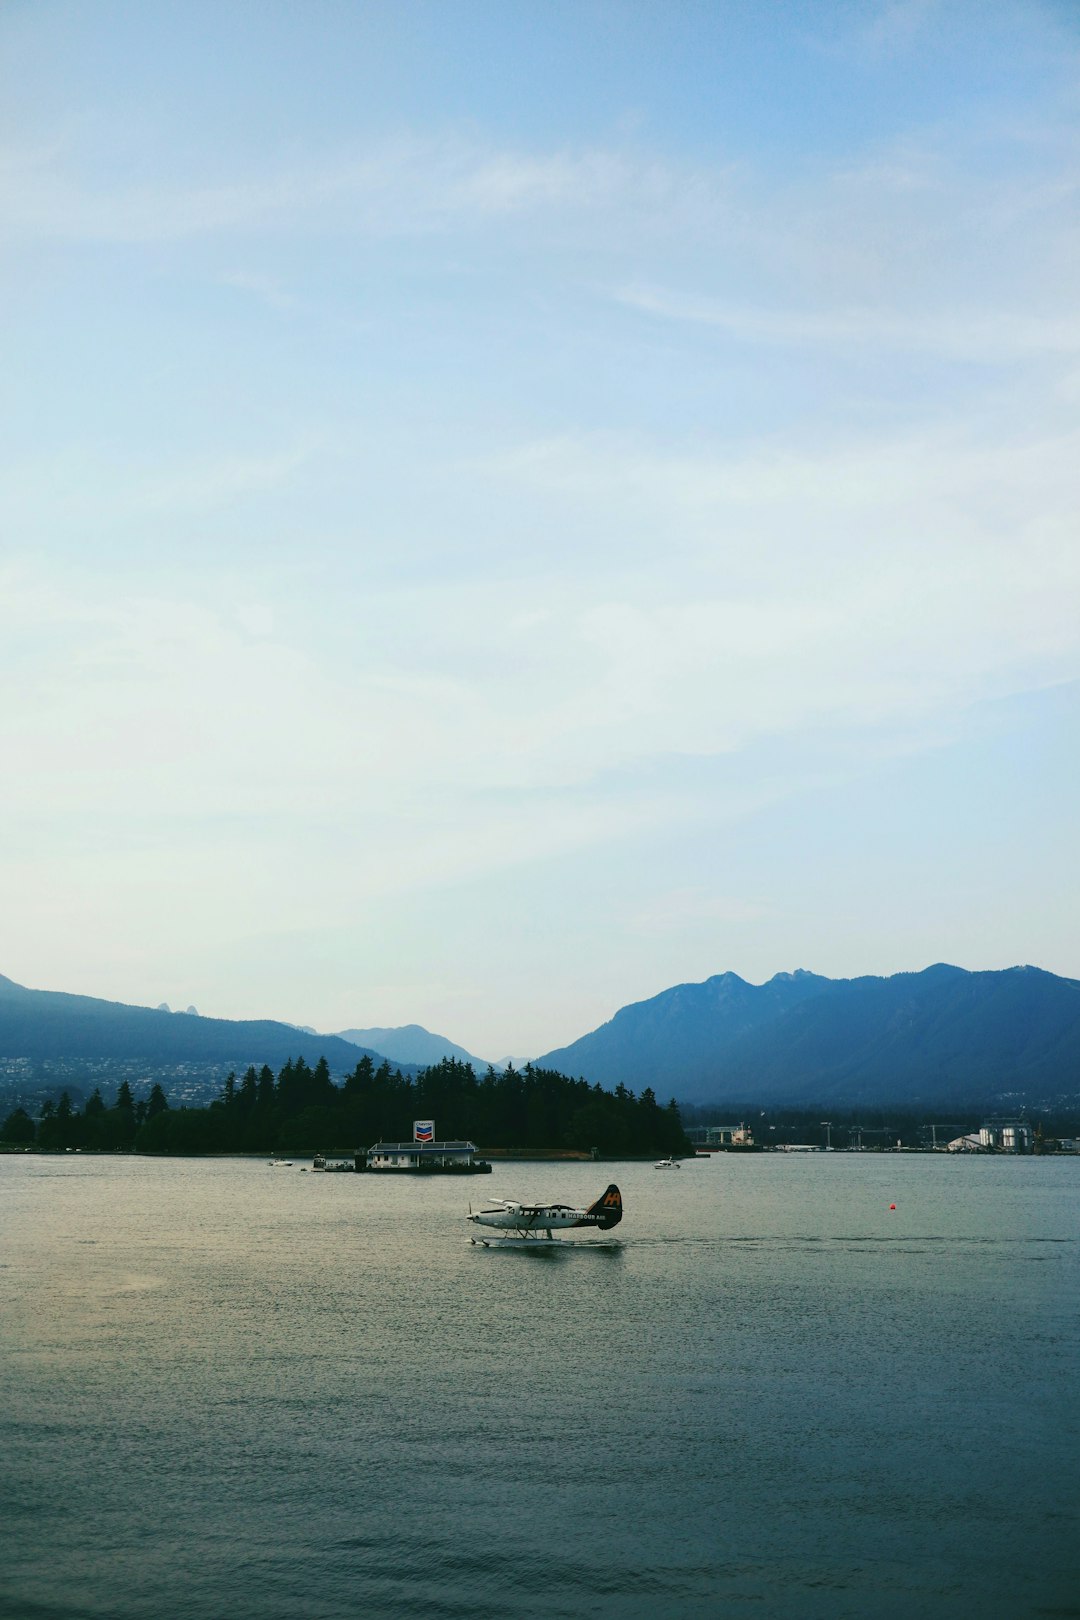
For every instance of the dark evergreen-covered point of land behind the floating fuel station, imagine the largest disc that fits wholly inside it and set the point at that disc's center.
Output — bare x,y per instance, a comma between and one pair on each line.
302,1107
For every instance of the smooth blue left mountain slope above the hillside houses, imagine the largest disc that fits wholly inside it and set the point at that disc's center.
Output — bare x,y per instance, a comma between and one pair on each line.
51,1025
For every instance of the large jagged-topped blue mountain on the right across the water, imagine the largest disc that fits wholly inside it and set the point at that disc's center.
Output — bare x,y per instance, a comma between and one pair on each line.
938,1036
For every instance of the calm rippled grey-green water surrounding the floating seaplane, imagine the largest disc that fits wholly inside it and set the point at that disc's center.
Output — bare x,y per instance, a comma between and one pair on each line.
244,1392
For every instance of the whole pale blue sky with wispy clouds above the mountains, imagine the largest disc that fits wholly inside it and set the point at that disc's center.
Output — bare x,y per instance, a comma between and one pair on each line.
508,506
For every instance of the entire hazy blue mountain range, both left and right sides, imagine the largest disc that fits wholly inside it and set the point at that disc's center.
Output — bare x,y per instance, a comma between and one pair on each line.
942,1036
